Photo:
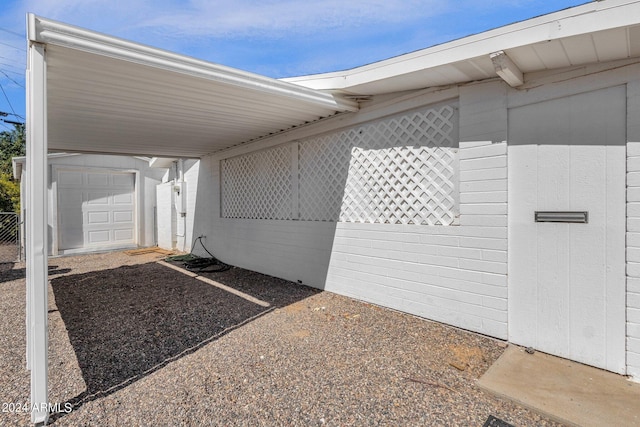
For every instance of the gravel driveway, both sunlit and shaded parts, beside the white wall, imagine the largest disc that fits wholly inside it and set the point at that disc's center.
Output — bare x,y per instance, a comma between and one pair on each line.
132,342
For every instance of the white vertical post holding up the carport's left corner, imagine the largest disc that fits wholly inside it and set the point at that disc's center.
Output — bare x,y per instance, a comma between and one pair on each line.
37,269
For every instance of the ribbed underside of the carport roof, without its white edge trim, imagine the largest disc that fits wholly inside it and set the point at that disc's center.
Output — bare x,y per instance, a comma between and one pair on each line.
101,104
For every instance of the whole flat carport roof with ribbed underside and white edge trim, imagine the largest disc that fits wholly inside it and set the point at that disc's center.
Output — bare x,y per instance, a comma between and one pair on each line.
107,95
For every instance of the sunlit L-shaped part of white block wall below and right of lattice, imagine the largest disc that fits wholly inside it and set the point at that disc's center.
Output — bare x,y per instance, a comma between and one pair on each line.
452,274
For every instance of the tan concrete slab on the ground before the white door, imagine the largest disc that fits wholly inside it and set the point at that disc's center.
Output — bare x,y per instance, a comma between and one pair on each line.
566,391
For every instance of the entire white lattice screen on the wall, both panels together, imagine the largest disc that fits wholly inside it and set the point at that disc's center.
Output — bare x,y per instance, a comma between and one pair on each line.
397,170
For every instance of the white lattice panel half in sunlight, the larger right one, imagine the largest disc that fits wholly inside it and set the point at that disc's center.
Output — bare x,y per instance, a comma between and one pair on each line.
399,170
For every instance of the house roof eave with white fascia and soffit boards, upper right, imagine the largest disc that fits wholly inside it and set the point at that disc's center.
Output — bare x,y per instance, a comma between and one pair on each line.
594,32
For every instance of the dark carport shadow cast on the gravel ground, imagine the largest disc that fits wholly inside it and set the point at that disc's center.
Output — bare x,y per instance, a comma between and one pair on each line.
128,322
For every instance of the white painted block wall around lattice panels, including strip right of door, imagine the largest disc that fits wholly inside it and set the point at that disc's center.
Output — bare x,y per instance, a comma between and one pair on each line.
391,264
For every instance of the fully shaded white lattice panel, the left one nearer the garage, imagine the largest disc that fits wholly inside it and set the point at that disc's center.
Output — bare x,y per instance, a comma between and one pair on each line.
258,185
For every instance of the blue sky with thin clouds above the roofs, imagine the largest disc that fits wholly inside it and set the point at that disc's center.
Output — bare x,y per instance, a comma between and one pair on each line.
277,38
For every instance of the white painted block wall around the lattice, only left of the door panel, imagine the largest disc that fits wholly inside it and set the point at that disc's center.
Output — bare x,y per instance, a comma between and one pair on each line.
454,274
